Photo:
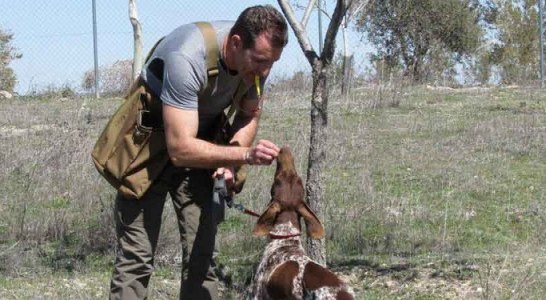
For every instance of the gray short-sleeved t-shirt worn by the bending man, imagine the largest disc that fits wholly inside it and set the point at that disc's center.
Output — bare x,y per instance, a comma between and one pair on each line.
183,56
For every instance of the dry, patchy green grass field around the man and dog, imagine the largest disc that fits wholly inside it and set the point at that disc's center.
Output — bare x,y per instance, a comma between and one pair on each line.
432,193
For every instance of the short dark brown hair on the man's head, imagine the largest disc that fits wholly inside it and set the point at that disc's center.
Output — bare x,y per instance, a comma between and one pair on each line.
261,18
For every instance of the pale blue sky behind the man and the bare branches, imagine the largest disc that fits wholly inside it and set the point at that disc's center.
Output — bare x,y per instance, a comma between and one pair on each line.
56,37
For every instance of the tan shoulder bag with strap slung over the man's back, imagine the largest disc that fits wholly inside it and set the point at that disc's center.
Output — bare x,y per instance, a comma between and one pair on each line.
131,151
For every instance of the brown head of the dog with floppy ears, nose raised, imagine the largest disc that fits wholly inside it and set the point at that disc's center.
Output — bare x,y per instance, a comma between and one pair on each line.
287,201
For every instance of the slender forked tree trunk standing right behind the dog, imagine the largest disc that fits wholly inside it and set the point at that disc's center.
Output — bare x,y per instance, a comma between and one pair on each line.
321,65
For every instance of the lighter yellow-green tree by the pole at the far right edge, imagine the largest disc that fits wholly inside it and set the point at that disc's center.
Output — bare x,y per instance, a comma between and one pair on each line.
516,53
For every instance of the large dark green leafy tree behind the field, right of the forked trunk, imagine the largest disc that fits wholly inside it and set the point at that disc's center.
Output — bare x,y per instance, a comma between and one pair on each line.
417,36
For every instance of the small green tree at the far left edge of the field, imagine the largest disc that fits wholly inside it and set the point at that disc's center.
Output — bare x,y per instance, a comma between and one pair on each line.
7,55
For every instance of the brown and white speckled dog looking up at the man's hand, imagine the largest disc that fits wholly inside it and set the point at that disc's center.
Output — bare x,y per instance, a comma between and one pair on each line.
285,271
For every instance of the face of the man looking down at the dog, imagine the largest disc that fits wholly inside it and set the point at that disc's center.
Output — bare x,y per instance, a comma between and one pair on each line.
257,60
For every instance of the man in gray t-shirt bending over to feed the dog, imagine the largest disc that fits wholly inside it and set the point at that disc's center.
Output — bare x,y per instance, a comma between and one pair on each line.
176,71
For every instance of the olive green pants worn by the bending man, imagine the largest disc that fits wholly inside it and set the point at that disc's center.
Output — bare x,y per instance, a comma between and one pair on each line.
138,224
